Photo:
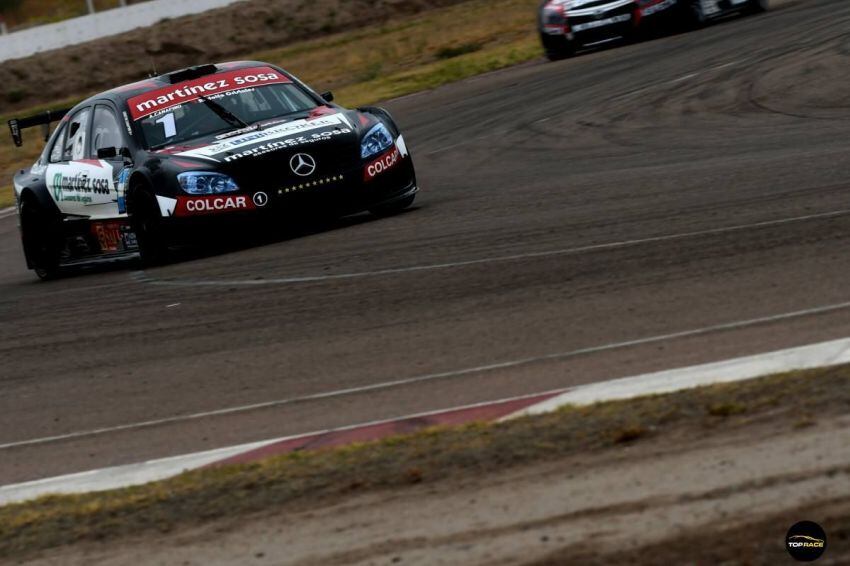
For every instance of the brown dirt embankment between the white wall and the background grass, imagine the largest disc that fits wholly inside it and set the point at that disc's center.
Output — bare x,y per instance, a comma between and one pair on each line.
226,33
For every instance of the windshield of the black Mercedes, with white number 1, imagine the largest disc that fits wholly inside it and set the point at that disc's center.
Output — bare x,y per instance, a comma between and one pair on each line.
199,118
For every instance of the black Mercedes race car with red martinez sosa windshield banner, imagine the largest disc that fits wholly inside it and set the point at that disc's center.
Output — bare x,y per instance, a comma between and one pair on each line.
134,169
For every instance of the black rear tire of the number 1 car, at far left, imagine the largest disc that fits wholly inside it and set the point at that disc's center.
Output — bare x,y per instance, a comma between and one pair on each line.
42,240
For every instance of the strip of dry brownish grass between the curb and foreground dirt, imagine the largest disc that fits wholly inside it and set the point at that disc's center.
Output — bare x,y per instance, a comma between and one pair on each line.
427,456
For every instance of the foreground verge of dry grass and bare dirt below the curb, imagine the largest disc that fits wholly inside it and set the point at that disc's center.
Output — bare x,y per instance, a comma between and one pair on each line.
708,476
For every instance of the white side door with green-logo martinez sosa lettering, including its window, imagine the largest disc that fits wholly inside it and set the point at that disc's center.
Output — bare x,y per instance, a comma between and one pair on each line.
80,184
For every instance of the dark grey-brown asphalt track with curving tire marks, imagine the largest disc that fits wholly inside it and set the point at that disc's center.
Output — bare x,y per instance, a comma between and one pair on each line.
673,202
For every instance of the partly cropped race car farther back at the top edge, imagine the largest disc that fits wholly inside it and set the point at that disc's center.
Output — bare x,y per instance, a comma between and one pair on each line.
567,25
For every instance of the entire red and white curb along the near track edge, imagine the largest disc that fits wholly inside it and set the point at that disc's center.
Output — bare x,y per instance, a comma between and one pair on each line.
806,357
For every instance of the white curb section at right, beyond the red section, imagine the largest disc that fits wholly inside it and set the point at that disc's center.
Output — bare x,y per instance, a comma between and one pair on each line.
806,357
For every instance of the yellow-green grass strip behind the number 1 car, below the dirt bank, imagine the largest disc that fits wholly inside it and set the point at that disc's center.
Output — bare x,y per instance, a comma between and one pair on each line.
370,64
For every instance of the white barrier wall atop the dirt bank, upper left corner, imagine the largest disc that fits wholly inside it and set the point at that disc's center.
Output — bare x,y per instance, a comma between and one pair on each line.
86,28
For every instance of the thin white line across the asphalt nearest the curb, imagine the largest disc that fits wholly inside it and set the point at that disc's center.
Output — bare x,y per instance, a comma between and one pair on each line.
557,356
